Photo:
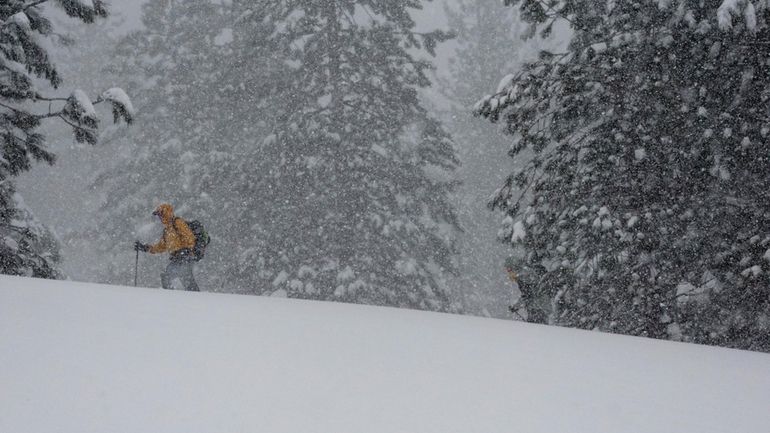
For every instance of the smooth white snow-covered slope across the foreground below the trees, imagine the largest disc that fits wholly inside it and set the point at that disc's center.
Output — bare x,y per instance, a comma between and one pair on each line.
80,358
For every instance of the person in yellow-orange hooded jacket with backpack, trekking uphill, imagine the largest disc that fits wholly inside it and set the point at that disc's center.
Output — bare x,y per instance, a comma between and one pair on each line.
178,240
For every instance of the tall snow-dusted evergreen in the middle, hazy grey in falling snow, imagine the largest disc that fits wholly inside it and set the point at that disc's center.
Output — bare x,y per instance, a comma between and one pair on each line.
355,174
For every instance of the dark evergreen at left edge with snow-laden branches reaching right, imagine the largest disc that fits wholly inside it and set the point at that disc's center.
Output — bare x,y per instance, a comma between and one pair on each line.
27,248
